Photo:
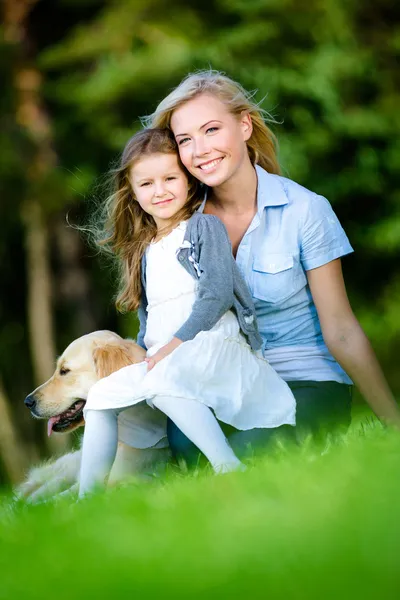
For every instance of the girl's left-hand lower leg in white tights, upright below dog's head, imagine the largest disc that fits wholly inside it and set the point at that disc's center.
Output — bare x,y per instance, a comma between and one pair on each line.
99,448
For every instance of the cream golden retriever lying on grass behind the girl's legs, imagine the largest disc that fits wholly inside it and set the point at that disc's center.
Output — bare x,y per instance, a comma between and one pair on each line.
61,401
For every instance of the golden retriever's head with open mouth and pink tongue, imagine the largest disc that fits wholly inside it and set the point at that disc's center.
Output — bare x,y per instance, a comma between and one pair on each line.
89,358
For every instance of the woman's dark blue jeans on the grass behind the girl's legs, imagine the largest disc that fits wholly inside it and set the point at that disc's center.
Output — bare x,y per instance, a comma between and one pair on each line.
322,407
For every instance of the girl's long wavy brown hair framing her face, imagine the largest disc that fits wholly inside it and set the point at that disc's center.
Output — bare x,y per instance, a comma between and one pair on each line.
125,228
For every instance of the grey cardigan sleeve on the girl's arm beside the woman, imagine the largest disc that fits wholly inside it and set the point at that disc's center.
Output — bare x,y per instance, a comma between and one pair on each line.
215,292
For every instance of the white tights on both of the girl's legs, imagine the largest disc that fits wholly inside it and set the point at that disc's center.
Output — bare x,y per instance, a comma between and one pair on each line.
193,418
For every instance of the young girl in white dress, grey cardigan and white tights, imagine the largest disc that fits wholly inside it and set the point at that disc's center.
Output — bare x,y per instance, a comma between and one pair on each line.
196,318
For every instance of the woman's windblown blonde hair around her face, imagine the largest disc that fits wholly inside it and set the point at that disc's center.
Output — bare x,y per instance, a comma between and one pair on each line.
262,145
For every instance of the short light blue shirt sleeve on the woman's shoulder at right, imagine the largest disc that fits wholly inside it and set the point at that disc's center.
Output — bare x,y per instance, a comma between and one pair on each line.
322,238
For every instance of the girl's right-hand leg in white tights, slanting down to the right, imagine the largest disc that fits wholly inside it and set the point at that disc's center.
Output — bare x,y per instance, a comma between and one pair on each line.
198,423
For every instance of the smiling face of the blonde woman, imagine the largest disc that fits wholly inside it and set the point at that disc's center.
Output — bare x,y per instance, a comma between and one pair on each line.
211,141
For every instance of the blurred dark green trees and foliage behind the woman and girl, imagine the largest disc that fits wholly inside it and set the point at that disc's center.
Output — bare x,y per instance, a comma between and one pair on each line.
78,74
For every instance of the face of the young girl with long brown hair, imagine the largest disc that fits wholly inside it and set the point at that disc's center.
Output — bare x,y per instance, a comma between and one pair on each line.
160,186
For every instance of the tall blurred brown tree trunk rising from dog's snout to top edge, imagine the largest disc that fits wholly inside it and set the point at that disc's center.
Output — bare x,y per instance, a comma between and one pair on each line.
31,115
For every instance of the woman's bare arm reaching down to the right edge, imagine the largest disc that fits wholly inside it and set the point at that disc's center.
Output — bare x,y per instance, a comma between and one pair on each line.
347,341
